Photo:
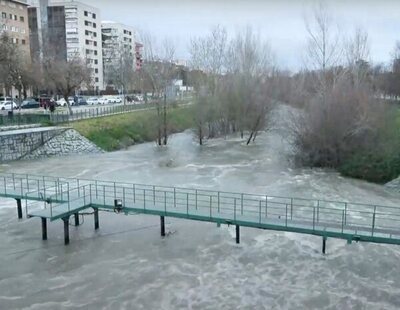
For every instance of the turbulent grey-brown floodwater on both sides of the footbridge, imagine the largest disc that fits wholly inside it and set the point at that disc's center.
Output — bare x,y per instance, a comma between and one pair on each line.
127,265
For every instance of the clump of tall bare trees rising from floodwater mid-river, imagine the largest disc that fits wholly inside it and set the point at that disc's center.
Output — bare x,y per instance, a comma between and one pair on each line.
236,83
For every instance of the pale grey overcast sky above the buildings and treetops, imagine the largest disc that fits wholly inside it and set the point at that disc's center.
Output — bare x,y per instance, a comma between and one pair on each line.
279,22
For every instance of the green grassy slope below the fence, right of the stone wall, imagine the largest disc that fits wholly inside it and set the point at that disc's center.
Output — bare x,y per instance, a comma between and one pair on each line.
120,131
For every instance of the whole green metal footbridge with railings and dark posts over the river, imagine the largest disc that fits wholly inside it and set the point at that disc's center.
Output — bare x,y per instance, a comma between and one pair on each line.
52,198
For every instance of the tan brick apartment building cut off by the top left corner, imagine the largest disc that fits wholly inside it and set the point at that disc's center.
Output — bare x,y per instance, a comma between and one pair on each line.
14,22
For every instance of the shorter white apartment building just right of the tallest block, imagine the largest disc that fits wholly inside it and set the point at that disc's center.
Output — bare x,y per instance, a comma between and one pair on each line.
117,38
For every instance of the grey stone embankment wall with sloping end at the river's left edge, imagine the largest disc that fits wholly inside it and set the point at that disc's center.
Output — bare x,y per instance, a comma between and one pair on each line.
43,142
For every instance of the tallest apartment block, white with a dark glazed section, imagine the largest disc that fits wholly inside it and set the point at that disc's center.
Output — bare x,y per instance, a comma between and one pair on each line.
69,29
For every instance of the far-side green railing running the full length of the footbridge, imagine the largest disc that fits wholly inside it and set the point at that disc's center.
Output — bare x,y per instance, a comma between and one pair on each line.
283,211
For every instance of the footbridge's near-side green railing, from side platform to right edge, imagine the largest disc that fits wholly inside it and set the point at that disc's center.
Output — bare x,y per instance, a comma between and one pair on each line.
339,216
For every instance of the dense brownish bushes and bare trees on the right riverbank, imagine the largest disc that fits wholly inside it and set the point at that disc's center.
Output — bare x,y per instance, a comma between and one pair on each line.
344,123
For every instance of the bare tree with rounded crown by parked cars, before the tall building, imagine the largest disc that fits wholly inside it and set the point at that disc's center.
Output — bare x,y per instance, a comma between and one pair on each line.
67,76
